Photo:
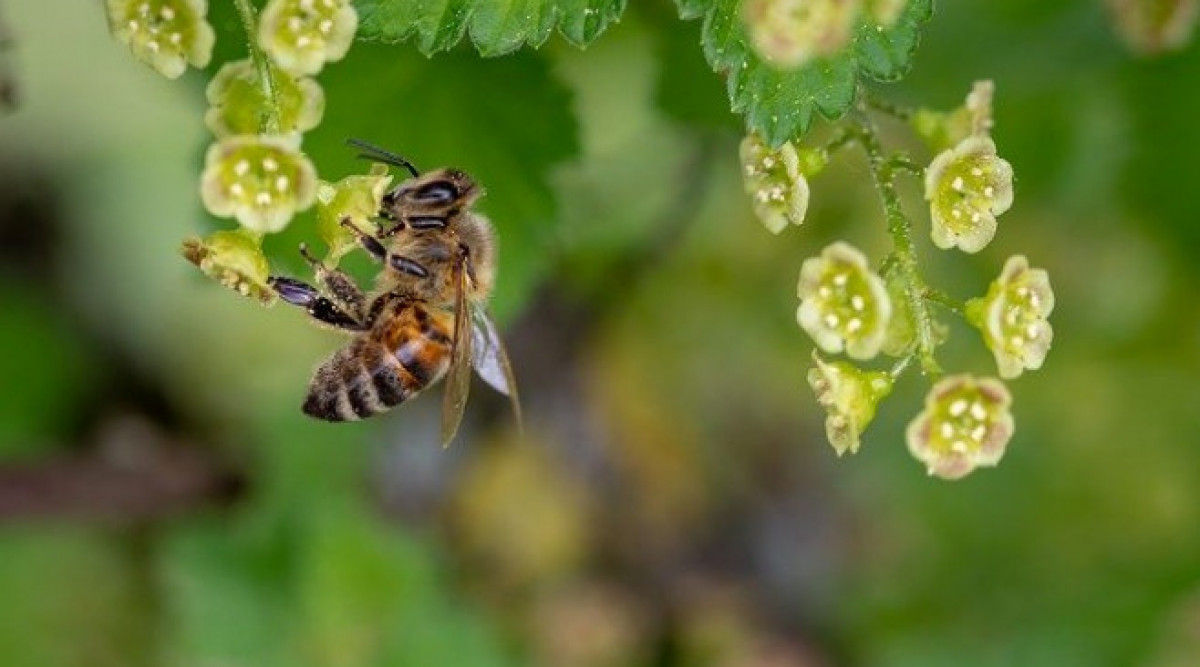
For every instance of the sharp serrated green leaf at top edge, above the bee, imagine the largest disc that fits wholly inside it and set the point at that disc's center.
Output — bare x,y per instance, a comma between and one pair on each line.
496,27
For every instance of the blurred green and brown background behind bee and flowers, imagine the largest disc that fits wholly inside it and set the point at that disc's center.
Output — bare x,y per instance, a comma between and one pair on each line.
164,502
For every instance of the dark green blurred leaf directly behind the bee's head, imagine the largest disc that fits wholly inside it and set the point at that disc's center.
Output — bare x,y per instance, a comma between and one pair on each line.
452,111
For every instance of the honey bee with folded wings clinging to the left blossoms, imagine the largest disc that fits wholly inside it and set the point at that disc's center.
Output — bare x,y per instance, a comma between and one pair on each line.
427,319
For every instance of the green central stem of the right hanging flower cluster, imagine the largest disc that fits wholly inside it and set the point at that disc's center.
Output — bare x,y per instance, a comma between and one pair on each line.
904,248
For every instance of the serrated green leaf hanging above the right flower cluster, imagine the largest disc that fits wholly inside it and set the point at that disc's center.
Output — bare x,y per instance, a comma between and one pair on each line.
782,105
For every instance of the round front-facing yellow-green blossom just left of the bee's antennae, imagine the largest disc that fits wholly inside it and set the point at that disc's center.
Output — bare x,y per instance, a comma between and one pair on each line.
261,181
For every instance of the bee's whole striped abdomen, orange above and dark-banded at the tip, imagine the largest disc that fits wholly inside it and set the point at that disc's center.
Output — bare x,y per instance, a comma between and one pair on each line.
401,357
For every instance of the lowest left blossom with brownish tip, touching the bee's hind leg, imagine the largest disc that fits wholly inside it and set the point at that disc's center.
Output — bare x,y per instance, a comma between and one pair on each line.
235,259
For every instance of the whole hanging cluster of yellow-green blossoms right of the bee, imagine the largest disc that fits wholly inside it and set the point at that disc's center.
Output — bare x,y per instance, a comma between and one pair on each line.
847,307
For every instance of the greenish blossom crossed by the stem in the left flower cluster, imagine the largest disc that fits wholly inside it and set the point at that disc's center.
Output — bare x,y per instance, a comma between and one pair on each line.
237,101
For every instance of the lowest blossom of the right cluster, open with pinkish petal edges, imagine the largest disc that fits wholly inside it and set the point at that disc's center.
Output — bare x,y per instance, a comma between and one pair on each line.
967,424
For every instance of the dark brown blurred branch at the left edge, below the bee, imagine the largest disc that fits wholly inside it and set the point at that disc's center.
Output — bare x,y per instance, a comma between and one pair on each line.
135,474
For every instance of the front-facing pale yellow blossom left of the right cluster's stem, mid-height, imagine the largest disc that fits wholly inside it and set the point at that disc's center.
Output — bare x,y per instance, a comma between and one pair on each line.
844,305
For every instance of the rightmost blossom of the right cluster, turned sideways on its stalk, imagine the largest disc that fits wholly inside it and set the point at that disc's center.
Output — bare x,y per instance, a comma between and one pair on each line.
1013,317
